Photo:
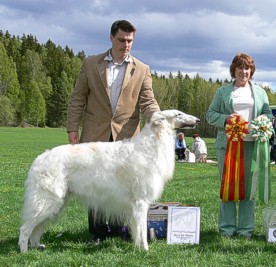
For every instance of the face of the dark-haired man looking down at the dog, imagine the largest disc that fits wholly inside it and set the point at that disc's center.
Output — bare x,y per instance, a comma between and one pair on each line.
121,43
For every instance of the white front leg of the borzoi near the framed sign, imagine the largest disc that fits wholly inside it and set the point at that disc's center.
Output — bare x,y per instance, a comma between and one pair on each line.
138,224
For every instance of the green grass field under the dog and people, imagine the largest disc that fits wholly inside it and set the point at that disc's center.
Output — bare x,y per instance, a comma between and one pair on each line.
67,241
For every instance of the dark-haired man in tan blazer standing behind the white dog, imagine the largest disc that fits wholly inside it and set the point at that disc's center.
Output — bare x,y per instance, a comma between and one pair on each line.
111,90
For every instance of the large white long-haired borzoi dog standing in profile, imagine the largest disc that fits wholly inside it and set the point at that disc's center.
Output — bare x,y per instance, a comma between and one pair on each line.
119,179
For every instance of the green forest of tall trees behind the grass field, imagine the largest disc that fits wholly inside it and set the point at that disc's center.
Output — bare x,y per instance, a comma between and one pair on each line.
36,82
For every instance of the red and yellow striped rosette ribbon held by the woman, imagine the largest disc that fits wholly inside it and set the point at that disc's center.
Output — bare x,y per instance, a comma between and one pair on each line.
232,184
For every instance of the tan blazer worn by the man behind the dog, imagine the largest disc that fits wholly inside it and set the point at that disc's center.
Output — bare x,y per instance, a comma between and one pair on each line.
90,105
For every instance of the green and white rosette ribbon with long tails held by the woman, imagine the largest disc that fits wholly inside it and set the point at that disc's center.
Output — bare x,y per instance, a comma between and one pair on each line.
261,131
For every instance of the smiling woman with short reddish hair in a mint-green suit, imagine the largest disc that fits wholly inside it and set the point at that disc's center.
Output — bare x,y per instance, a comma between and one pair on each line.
248,100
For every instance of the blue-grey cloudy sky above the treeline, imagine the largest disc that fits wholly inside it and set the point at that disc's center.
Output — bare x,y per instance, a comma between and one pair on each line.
191,36
